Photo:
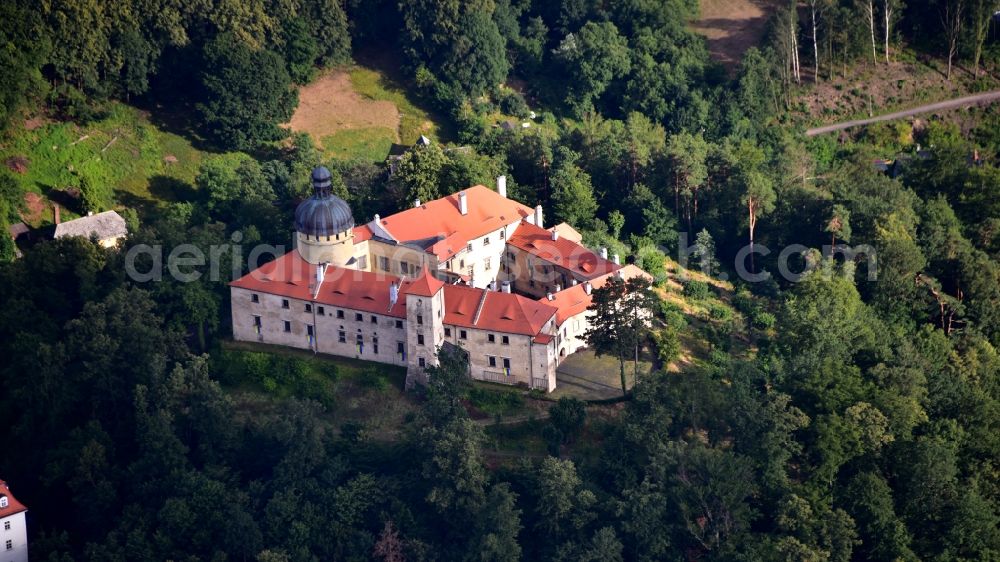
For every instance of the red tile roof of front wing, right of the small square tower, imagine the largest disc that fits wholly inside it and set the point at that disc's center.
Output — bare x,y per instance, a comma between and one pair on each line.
501,312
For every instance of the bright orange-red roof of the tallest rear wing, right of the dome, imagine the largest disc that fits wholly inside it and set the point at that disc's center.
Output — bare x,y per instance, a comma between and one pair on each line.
444,230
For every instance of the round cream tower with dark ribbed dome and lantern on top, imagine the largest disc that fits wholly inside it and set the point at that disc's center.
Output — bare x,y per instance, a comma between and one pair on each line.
324,225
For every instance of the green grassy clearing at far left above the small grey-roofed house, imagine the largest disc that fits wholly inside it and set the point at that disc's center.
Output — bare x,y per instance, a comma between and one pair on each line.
143,163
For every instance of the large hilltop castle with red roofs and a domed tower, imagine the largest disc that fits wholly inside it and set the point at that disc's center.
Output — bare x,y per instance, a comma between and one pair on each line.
475,270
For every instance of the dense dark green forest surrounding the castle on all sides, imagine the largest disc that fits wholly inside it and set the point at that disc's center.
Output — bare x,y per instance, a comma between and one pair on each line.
862,422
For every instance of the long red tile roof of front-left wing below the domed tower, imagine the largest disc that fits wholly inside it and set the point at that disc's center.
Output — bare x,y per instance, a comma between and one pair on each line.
293,277
